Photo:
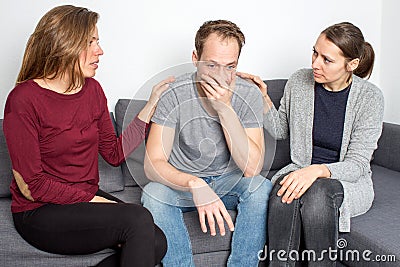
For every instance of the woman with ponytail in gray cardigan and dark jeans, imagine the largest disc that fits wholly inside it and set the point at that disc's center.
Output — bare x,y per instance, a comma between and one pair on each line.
334,118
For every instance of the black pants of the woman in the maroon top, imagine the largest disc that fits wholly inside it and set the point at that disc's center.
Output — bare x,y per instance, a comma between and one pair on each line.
85,228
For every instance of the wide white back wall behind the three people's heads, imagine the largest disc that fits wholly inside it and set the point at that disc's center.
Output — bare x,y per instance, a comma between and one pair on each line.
142,38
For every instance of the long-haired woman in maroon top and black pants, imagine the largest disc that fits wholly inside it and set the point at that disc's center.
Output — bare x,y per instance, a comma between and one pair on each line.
56,121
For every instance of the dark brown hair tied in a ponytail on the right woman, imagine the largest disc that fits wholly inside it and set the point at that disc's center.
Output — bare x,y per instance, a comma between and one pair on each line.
350,40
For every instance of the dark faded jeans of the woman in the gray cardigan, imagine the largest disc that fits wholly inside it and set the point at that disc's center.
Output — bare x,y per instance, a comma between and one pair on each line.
311,221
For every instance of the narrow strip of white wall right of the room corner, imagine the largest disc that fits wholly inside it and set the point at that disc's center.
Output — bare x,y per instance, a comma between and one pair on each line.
390,59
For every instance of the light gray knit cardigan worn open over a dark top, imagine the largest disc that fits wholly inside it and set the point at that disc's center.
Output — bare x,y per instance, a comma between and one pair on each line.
362,128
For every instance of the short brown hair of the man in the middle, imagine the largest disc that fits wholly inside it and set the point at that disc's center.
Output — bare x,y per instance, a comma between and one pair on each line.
223,28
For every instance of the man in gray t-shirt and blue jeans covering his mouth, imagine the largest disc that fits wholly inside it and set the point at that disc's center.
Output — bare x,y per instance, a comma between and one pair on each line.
205,151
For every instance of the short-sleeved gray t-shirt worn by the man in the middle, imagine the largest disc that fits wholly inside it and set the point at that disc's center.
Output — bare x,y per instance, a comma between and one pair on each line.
199,145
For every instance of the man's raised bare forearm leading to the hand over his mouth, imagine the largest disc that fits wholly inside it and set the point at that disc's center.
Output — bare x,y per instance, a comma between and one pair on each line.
245,152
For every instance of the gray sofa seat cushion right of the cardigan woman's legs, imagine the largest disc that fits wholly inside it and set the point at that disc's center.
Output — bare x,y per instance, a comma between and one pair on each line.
379,229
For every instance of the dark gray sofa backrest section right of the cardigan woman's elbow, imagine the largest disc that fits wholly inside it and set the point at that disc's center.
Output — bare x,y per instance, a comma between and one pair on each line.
388,152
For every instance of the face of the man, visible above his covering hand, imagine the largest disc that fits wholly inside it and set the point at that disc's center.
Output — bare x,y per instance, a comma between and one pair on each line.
219,57
